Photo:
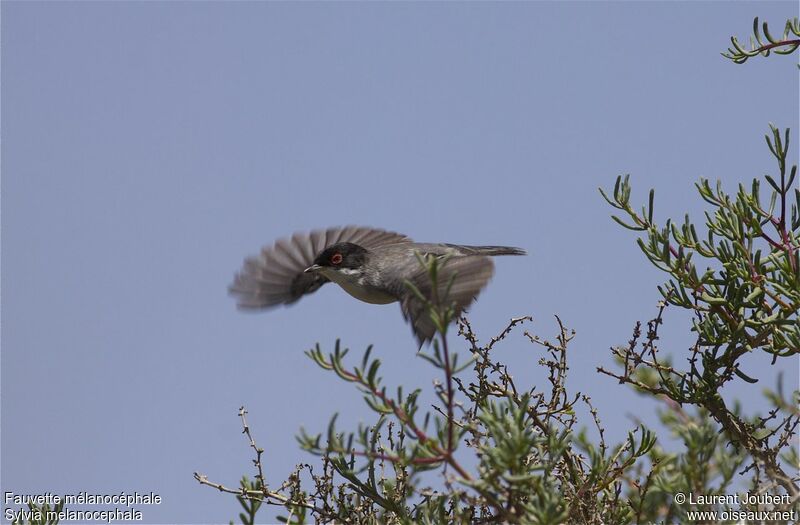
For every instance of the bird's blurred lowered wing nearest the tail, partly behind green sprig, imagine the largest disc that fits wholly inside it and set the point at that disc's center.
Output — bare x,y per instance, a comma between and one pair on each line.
469,275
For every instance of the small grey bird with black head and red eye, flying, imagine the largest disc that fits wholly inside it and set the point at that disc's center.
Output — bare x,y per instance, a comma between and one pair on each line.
372,265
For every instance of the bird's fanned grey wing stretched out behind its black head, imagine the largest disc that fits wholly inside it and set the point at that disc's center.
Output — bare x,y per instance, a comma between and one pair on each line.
275,276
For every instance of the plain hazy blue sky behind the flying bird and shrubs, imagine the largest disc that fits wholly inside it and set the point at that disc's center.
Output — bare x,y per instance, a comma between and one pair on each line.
148,147
